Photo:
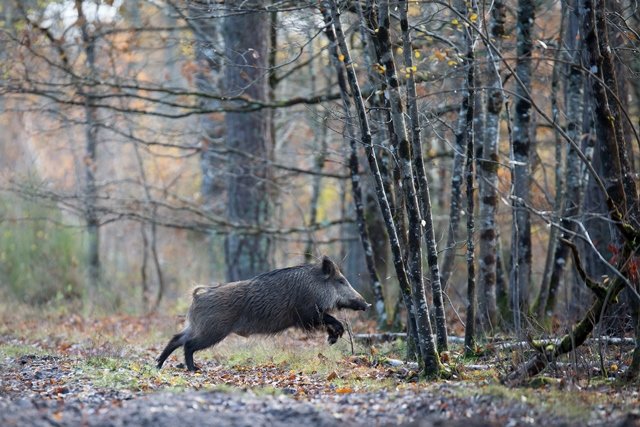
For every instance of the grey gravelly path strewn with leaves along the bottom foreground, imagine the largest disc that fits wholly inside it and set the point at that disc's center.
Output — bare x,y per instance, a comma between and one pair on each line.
40,391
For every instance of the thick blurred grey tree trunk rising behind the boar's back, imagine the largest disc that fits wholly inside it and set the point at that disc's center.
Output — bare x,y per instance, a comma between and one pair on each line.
248,191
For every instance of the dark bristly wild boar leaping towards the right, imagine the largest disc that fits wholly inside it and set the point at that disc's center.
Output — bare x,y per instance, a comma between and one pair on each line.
269,303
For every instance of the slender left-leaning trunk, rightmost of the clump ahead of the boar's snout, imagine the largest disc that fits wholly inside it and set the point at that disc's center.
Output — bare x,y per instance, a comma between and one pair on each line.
423,183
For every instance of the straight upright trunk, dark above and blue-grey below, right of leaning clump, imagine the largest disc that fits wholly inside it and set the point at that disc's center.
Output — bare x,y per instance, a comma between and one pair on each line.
522,148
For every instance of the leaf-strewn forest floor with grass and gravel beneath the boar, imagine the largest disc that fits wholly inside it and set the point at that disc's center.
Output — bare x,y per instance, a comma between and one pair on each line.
64,369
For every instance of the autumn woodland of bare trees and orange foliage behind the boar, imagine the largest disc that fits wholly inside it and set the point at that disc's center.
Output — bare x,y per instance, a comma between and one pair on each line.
147,146
